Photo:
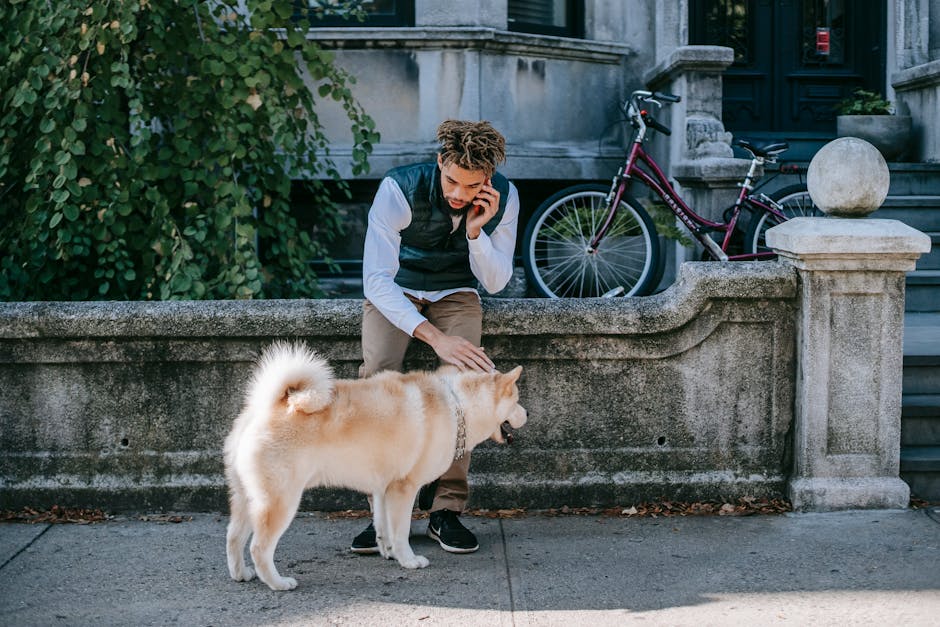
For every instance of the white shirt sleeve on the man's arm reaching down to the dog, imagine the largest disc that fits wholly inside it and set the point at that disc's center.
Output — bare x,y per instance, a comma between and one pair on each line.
389,215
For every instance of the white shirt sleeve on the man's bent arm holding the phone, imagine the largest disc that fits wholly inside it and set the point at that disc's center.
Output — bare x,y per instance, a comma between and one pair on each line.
491,255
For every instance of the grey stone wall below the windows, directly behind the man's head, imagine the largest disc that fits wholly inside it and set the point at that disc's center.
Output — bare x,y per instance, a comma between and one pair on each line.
556,99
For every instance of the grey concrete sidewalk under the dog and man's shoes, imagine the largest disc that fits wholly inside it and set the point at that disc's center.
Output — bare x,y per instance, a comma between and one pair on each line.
855,568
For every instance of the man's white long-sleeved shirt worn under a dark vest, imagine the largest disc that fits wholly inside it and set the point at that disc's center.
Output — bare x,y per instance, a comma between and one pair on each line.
490,256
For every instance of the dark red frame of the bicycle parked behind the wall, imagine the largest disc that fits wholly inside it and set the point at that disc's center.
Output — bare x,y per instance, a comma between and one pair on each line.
698,226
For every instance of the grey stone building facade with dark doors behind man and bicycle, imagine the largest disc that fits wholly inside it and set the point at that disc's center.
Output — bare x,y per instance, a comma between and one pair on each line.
551,75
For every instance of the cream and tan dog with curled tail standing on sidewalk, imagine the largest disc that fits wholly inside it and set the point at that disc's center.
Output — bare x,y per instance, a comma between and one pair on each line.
385,436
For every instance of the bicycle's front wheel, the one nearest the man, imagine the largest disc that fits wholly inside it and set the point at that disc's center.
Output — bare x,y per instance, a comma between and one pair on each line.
559,262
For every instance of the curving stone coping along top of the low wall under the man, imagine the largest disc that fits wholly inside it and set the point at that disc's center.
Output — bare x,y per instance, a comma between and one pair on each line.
675,307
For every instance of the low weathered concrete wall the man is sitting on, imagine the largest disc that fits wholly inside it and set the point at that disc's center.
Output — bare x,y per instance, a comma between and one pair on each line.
687,394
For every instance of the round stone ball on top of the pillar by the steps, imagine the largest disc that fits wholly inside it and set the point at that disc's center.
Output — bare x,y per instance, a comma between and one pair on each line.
848,178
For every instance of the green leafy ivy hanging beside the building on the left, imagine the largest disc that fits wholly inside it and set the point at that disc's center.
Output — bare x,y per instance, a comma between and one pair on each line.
148,148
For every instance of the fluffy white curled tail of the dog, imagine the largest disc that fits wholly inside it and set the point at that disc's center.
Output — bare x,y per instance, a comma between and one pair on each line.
292,373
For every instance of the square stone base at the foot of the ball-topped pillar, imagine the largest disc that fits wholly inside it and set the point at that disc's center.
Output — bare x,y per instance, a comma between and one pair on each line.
830,494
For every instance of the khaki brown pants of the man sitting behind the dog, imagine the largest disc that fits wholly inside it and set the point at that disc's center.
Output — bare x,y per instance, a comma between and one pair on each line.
384,346
